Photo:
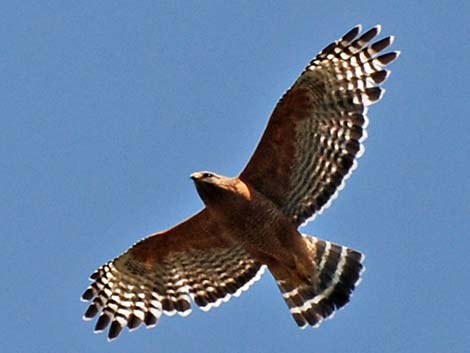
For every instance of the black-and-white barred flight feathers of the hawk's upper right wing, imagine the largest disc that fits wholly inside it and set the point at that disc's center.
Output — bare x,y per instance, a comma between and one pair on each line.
345,78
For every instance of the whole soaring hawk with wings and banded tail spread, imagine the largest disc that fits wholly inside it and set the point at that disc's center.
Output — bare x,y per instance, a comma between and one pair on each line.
250,222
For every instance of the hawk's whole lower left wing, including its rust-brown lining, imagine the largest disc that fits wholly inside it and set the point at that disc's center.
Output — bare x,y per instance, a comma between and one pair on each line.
162,273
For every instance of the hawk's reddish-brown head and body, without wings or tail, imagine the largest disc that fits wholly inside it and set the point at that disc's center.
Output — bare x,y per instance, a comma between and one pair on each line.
257,224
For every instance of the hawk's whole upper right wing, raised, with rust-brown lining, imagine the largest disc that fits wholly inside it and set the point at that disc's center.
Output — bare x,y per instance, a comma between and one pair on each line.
315,133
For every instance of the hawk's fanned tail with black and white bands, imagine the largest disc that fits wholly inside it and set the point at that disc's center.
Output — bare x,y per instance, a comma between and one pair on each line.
338,273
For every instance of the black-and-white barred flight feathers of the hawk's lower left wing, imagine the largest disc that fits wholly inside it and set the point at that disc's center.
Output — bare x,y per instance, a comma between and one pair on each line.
127,293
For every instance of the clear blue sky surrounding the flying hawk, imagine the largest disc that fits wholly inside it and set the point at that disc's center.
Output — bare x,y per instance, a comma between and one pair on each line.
108,106
